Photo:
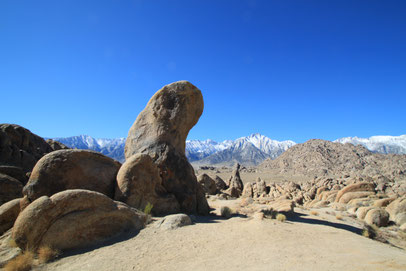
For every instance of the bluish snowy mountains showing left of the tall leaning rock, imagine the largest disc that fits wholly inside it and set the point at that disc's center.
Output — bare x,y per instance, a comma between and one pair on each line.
113,148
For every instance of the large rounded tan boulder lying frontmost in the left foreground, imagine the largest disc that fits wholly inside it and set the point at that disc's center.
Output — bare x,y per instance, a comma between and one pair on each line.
73,219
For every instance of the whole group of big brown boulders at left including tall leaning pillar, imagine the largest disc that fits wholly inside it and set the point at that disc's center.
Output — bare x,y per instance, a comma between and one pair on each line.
76,198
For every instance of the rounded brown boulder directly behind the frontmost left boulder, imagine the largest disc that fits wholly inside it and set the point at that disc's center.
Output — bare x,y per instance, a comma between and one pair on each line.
72,169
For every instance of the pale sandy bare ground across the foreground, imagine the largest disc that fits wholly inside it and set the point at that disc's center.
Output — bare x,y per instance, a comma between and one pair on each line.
303,242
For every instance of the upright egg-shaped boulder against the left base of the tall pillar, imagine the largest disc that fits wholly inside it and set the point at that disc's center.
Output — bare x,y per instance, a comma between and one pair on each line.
139,183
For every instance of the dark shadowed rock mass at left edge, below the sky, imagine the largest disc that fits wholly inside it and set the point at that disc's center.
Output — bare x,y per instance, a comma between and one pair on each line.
21,148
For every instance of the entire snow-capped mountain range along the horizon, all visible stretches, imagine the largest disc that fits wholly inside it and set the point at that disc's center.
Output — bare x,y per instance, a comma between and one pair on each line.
250,150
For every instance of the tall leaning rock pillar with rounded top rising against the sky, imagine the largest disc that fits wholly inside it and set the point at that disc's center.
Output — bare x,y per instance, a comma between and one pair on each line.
160,131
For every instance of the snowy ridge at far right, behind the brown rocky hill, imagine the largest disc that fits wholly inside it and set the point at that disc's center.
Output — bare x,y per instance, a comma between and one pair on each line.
379,144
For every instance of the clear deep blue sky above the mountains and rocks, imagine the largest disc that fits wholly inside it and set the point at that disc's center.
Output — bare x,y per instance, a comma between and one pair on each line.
286,69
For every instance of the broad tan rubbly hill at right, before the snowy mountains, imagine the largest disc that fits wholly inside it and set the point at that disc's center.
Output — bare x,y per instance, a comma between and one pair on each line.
324,158
